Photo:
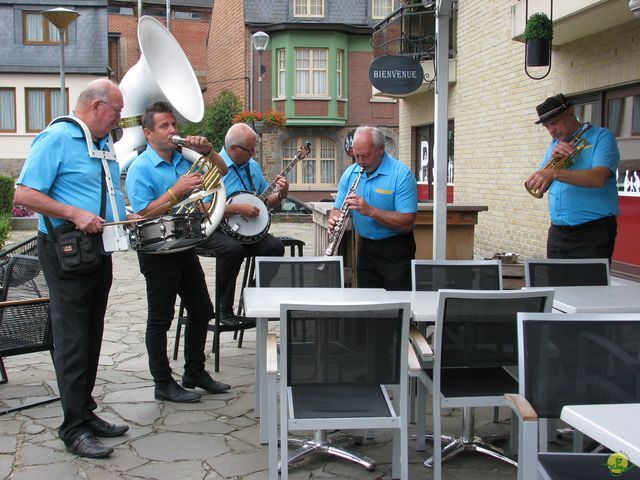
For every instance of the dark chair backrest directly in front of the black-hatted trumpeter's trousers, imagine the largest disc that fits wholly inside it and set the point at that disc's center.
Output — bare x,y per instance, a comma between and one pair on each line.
566,272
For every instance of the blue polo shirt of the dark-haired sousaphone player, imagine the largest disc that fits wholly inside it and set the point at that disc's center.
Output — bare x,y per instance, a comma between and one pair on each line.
149,176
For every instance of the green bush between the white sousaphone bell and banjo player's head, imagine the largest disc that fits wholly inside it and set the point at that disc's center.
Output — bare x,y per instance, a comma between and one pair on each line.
218,117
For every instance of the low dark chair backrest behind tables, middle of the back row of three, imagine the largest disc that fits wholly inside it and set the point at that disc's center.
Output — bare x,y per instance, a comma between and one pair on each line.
433,275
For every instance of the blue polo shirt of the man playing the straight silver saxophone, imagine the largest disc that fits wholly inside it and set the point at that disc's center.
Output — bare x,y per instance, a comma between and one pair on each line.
391,187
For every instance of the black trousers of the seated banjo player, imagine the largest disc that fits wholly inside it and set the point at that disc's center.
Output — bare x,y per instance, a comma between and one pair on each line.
230,254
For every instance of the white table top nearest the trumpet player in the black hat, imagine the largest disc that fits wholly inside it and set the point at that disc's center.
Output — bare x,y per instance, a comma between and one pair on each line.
609,299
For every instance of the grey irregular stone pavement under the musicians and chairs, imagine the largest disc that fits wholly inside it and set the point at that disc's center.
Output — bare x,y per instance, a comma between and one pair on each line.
216,438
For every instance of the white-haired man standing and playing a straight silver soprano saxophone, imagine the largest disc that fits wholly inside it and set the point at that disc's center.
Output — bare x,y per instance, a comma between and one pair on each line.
383,210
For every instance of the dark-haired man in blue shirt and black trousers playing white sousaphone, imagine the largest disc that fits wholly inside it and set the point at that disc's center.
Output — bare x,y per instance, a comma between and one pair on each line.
156,181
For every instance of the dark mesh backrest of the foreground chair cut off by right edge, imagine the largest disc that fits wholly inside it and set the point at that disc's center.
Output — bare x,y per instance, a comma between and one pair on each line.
575,359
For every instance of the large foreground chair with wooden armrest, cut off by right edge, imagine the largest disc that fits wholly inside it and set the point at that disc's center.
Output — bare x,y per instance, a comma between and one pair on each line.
572,359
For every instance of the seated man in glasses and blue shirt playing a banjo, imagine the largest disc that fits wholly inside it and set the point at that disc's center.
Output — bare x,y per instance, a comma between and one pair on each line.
245,175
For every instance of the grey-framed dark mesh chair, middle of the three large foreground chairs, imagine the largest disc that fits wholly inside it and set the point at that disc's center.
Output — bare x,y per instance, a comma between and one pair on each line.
474,360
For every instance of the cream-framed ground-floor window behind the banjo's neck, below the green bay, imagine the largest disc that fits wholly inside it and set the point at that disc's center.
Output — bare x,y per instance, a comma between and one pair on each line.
323,155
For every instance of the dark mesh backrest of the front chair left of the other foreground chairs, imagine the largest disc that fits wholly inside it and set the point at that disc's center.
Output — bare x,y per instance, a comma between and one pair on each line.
354,344
